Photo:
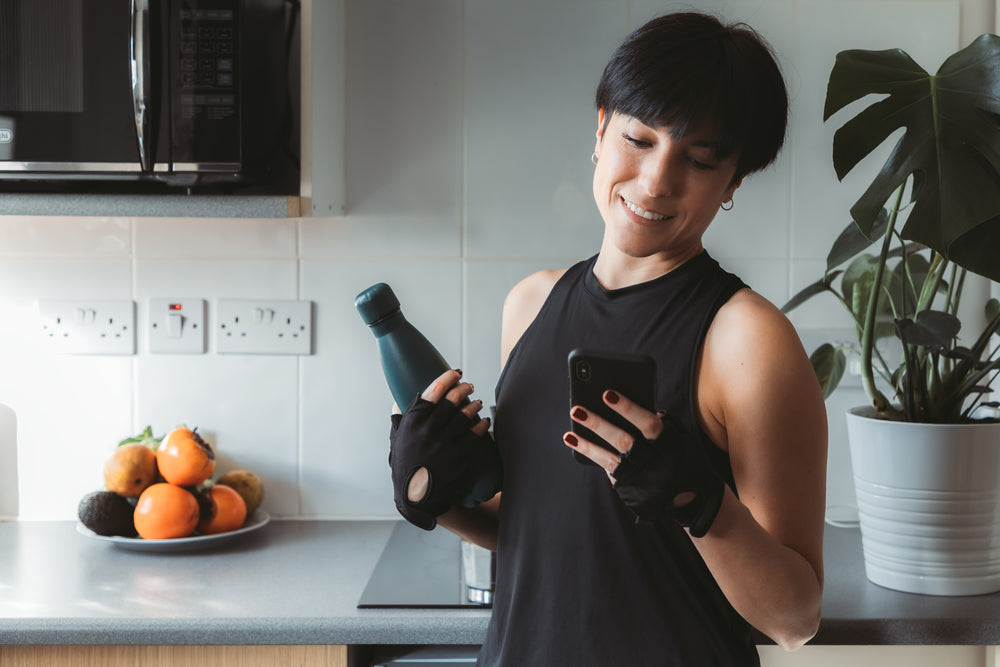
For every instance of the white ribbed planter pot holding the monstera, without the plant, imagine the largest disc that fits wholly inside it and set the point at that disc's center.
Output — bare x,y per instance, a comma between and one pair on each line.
929,504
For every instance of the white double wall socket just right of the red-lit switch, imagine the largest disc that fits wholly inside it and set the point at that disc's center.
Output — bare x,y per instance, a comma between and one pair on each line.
257,326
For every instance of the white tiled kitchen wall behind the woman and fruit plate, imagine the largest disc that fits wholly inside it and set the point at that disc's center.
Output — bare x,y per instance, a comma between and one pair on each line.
469,132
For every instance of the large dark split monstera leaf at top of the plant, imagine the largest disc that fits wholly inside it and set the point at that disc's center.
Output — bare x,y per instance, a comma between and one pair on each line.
951,145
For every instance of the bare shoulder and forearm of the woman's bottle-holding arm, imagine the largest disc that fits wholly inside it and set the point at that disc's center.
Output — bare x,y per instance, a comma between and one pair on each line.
479,524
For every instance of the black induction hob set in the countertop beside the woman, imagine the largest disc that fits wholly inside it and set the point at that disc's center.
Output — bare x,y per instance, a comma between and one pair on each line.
419,569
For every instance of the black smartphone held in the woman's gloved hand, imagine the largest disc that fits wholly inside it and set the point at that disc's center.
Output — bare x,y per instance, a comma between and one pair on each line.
592,372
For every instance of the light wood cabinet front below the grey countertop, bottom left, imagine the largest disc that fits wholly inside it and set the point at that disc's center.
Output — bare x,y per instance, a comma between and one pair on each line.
173,656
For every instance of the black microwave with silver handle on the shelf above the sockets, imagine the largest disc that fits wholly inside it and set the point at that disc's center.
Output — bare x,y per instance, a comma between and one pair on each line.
177,93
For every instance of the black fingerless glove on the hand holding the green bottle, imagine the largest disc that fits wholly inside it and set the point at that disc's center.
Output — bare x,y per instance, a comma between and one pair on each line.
462,467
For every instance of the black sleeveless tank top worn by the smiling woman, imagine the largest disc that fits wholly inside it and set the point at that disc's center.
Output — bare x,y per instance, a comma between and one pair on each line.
578,582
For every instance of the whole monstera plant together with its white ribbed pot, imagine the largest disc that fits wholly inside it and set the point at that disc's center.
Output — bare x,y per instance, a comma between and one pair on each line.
926,451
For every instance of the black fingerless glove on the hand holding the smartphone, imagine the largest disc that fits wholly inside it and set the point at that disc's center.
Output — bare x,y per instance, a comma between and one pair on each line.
653,473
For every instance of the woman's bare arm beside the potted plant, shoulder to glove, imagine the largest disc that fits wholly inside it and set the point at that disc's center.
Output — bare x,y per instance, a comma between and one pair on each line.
758,398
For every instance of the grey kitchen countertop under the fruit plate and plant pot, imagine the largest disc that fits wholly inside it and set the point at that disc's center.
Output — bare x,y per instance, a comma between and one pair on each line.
298,582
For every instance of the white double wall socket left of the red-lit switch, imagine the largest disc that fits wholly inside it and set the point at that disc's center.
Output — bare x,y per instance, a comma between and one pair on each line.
88,326
